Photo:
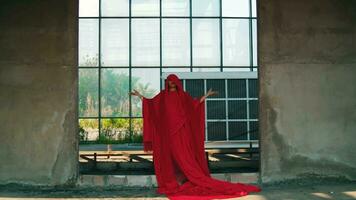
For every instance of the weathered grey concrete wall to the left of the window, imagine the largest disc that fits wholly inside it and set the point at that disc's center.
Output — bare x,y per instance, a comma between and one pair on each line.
38,88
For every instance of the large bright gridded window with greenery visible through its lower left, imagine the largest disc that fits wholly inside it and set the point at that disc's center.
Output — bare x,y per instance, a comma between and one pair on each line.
128,44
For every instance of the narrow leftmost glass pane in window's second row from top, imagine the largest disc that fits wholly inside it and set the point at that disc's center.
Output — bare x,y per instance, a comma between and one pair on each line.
88,42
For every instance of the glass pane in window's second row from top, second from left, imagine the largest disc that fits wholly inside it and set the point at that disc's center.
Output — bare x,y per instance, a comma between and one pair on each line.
115,42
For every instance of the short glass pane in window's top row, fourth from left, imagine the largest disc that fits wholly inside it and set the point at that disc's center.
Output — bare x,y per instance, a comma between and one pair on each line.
175,8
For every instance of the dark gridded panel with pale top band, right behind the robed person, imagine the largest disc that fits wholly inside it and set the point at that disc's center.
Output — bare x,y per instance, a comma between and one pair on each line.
232,115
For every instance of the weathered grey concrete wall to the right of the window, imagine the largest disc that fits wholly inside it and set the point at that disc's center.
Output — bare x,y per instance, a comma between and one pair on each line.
307,76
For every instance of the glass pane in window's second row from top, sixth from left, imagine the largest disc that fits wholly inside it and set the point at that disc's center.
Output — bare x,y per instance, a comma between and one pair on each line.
236,45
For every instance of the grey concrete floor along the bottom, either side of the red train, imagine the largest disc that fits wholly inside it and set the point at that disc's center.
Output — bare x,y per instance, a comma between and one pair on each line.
322,191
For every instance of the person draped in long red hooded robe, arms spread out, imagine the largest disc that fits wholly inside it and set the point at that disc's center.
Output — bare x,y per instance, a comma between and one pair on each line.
174,131
